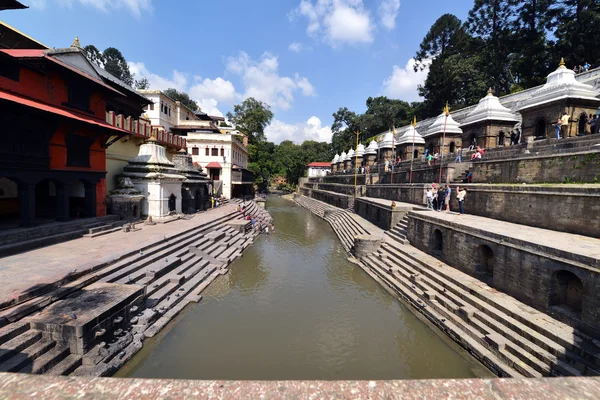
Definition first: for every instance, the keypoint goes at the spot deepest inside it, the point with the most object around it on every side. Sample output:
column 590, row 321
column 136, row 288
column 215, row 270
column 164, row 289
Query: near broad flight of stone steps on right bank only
column 528, row 341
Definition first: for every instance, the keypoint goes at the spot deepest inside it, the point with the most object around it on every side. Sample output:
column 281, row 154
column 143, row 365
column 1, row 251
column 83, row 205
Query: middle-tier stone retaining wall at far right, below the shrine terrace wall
column 578, row 167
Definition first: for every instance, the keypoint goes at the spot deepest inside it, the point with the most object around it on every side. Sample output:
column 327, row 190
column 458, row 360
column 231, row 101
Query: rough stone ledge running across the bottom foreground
column 23, row 386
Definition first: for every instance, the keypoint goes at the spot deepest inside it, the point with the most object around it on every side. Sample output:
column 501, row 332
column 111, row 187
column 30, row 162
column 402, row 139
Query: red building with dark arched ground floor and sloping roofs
column 54, row 134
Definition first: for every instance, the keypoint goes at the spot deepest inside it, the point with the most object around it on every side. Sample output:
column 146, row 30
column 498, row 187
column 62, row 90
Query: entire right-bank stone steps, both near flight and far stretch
column 509, row 337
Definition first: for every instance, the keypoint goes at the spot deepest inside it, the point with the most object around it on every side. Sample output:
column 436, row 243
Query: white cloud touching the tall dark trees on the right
column 403, row 82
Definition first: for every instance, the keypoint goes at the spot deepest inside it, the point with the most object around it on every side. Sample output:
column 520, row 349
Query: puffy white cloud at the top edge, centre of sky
column 337, row 21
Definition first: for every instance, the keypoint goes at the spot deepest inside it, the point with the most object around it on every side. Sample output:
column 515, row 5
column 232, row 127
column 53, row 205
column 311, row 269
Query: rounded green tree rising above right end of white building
column 251, row 117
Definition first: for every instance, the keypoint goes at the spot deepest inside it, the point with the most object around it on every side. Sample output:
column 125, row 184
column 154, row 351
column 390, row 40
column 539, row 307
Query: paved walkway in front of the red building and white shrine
column 21, row 272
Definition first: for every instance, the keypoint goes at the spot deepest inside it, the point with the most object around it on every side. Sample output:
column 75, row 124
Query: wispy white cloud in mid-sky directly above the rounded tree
column 262, row 81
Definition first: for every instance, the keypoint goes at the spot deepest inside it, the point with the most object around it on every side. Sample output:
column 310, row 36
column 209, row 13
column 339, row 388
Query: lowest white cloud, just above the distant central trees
column 312, row 129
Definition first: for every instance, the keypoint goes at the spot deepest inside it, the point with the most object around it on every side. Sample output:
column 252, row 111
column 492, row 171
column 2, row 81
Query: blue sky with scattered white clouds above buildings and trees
column 306, row 58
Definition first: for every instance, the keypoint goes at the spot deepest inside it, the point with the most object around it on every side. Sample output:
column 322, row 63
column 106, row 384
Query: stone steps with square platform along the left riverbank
column 93, row 325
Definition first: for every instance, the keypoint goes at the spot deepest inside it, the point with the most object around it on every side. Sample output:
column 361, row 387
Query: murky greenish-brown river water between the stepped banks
column 292, row 307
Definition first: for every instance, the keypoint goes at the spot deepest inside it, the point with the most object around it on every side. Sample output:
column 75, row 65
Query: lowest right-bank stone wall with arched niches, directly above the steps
column 530, row 273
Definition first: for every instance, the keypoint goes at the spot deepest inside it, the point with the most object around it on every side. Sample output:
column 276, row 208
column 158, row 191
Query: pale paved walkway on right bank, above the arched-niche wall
column 565, row 242
